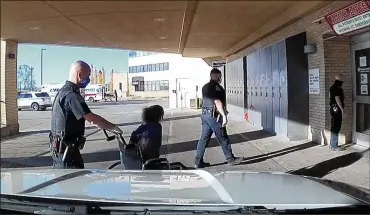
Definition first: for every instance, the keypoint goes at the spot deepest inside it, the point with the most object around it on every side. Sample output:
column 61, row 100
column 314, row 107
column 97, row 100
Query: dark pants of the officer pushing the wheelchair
column 73, row 160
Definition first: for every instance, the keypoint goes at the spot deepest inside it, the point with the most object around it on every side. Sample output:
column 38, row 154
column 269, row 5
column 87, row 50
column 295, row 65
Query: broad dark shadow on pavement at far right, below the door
column 326, row 167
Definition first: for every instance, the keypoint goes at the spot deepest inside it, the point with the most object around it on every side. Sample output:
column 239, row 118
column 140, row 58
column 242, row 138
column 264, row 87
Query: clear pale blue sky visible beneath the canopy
column 57, row 59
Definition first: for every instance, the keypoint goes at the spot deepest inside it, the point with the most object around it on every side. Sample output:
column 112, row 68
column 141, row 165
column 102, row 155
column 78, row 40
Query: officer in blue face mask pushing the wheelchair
column 68, row 120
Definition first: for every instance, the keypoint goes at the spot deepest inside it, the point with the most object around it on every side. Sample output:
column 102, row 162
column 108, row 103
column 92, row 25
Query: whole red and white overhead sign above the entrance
column 351, row 18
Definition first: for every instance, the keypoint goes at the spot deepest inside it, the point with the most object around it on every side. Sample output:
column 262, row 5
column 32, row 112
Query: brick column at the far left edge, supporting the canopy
column 8, row 82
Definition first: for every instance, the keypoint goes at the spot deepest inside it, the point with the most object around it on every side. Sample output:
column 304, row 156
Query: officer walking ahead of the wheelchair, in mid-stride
column 214, row 120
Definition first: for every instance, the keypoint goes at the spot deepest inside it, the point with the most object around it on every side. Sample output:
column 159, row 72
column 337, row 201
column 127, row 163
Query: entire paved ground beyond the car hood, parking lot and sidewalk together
column 181, row 129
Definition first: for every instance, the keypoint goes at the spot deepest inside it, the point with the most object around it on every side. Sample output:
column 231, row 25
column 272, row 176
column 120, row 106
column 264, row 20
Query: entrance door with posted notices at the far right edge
column 360, row 53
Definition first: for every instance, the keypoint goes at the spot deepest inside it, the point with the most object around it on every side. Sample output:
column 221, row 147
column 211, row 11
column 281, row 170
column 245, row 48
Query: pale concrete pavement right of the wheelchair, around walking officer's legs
column 264, row 152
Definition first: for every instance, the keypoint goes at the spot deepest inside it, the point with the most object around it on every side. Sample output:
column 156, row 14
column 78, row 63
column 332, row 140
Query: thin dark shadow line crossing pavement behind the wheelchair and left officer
column 26, row 133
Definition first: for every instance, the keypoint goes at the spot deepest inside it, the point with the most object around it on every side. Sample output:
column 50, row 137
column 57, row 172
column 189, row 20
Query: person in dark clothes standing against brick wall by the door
column 336, row 111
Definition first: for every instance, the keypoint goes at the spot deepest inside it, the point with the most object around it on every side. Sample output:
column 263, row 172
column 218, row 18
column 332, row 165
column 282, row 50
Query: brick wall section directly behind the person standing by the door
column 338, row 61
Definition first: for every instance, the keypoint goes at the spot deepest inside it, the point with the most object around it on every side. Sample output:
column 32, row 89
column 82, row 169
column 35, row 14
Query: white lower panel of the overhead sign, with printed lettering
column 352, row 24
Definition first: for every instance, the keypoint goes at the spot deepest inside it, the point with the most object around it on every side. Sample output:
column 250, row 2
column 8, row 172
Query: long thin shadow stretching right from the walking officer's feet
column 281, row 152
